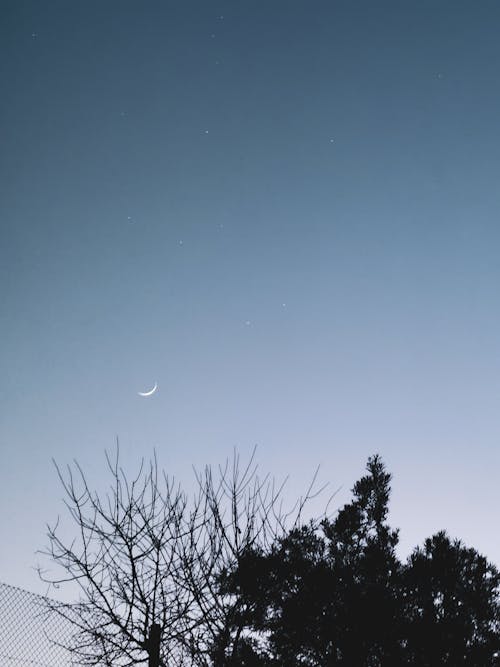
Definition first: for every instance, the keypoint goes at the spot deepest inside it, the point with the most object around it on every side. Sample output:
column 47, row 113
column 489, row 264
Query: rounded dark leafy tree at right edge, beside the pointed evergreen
column 451, row 605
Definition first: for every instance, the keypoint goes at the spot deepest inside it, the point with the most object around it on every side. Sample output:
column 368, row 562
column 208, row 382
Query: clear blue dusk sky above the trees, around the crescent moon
column 283, row 213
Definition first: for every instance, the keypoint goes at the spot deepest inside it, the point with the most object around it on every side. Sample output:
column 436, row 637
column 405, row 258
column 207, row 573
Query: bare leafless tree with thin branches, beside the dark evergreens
column 148, row 561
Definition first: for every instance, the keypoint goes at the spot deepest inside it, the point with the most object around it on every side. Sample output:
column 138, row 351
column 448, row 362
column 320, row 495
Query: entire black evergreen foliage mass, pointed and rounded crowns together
column 336, row 594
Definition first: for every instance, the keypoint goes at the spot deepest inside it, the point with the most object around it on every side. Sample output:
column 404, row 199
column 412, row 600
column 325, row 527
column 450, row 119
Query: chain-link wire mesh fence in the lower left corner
column 29, row 633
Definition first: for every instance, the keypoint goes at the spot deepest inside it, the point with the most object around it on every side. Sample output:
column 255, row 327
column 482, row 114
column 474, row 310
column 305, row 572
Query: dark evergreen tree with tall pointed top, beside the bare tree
column 328, row 594
